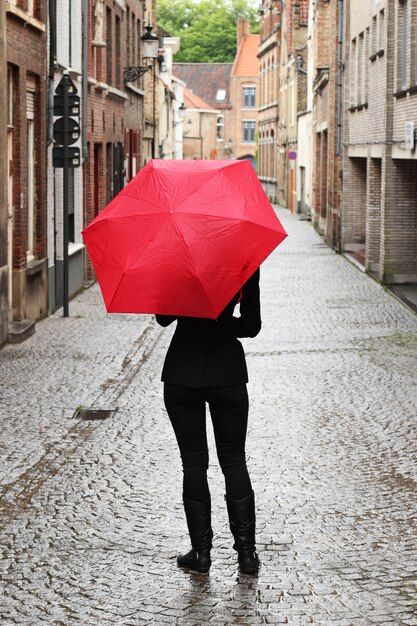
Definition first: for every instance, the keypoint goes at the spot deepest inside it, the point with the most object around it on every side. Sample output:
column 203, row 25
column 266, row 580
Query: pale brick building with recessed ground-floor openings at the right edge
column 379, row 212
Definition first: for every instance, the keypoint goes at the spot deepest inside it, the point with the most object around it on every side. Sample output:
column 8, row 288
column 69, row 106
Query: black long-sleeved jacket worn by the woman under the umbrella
column 206, row 352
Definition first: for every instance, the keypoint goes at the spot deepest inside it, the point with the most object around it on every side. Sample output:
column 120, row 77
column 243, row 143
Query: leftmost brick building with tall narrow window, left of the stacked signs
column 26, row 155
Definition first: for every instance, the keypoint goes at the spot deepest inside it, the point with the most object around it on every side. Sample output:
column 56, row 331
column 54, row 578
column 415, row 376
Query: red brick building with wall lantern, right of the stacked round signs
column 116, row 115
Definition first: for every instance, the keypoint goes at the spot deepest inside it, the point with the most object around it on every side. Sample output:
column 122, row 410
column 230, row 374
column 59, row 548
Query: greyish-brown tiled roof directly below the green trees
column 206, row 80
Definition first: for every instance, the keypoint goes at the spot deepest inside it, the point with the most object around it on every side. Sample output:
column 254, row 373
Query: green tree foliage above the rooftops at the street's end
column 207, row 28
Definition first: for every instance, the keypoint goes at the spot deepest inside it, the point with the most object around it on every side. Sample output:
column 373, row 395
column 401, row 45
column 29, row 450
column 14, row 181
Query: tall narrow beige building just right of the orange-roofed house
column 268, row 54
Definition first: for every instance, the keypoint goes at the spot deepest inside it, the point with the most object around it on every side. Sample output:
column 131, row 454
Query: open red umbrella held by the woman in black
column 182, row 237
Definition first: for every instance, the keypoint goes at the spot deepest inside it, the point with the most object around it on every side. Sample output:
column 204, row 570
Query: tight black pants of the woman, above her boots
column 229, row 408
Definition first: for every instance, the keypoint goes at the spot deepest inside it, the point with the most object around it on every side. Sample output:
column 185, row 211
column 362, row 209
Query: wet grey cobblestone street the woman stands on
column 91, row 523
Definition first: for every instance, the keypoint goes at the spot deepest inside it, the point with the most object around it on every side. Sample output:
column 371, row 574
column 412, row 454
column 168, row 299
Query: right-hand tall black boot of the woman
column 242, row 524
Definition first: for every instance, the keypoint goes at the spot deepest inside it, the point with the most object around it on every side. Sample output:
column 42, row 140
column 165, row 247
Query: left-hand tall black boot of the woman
column 198, row 516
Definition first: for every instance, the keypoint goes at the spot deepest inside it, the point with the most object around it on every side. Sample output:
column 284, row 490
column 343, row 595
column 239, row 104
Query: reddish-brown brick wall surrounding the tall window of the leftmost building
column 26, row 53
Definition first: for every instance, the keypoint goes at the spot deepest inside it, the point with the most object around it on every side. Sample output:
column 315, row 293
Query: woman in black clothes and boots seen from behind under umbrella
column 205, row 363
